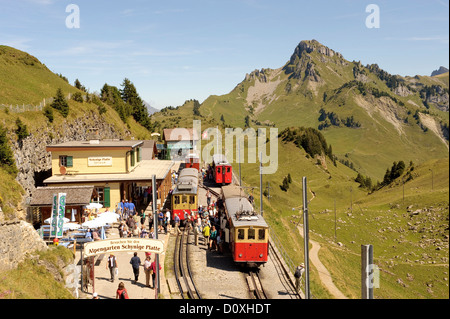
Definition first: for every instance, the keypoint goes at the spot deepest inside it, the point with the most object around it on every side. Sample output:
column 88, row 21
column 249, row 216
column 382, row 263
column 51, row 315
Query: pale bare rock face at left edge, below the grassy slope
column 17, row 240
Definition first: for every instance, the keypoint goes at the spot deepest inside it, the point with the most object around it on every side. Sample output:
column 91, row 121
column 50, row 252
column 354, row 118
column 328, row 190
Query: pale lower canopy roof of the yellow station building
column 143, row 172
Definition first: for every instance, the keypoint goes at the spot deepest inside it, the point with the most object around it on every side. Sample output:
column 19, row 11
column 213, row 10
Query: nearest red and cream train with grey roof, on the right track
column 246, row 231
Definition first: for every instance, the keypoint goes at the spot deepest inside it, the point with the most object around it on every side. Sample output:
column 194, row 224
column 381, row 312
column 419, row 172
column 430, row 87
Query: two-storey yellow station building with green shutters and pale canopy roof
column 115, row 168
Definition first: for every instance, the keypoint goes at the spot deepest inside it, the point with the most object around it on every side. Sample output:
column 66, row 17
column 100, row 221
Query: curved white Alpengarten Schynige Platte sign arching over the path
column 123, row 245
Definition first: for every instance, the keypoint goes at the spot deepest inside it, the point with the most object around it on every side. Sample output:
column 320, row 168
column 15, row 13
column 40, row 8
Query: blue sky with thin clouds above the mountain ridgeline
column 189, row 49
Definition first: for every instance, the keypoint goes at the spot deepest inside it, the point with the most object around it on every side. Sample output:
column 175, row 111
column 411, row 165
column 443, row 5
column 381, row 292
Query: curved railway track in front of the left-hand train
column 182, row 270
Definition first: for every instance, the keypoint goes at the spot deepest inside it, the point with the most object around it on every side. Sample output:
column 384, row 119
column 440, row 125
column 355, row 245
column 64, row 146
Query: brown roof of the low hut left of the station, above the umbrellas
column 76, row 195
